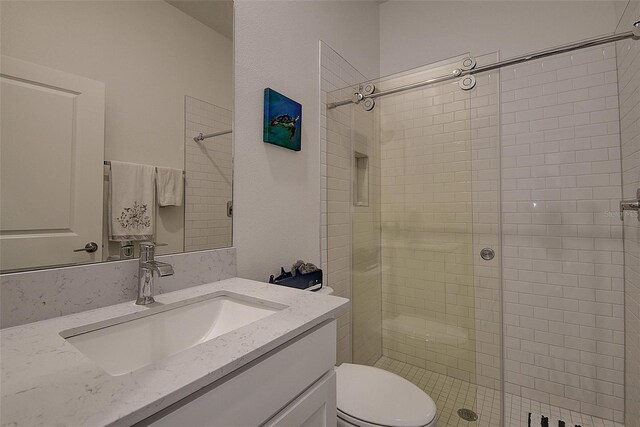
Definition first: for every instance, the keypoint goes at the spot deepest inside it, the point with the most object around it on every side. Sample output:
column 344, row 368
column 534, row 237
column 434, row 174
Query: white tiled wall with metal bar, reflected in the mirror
column 209, row 177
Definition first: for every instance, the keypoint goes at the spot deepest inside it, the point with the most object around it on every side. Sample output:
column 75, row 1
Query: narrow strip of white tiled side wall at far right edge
column 628, row 56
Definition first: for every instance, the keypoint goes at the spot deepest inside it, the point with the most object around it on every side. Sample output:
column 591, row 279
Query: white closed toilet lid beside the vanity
column 380, row 397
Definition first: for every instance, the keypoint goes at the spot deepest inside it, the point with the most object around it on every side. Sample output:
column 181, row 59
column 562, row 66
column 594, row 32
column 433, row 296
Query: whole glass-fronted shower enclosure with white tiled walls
column 474, row 222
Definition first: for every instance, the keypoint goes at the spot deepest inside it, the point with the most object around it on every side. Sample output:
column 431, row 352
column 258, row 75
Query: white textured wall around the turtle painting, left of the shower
column 277, row 191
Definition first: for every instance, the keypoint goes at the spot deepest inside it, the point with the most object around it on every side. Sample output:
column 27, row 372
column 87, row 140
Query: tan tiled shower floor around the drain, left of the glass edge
column 450, row 394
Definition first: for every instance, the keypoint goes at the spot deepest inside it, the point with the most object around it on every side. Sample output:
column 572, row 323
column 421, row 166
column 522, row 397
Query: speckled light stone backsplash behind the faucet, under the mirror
column 38, row 295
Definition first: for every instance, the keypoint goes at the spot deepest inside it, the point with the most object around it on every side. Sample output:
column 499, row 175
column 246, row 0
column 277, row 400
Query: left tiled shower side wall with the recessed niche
column 359, row 329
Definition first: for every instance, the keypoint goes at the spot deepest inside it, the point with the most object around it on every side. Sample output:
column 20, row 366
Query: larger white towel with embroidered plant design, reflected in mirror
column 131, row 201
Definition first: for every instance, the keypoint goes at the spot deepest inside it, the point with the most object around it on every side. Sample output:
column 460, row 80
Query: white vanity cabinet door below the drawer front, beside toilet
column 316, row 407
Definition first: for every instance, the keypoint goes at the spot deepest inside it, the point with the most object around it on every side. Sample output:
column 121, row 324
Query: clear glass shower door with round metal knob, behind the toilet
column 424, row 170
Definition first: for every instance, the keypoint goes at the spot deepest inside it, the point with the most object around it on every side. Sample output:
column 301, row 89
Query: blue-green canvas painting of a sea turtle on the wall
column 282, row 120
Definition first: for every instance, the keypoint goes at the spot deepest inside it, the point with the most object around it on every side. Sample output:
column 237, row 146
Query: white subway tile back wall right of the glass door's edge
column 562, row 238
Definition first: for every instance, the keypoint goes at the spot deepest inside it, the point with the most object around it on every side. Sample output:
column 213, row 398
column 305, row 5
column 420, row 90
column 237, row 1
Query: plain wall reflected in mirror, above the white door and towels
column 149, row 54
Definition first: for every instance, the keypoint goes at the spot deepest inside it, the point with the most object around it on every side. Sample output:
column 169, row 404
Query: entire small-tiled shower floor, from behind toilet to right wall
column 451, row 394
